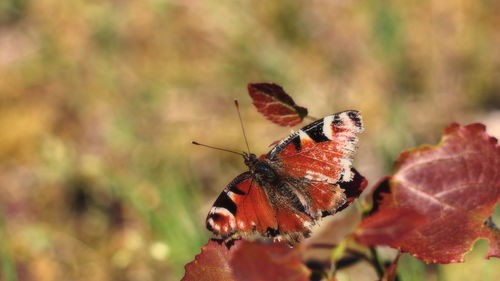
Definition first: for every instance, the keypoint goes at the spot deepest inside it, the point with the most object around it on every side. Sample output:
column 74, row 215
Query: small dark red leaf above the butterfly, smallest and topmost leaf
column 276, row 105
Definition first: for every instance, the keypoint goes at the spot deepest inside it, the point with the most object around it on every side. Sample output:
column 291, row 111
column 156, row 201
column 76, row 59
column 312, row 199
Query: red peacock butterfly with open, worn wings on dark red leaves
column 303, row 178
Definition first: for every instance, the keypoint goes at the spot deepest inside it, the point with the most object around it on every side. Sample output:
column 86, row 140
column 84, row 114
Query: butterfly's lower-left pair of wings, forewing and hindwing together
column 245, row 209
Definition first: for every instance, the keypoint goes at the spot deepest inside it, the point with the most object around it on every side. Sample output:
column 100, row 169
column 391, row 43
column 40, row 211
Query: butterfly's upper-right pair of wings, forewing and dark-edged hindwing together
column 318, row 158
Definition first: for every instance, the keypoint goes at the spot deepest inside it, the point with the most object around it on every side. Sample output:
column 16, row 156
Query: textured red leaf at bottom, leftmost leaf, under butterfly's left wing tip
column 211, row 264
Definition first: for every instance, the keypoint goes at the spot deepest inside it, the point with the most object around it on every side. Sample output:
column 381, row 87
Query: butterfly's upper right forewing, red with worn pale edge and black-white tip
column 321, row 151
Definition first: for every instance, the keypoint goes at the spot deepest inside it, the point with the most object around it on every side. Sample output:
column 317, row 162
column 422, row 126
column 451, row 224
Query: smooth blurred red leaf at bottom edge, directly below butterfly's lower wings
column 260, row 262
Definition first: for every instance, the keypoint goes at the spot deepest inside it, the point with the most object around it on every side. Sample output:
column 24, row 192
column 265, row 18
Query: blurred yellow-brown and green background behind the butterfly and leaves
column 99, row 101
